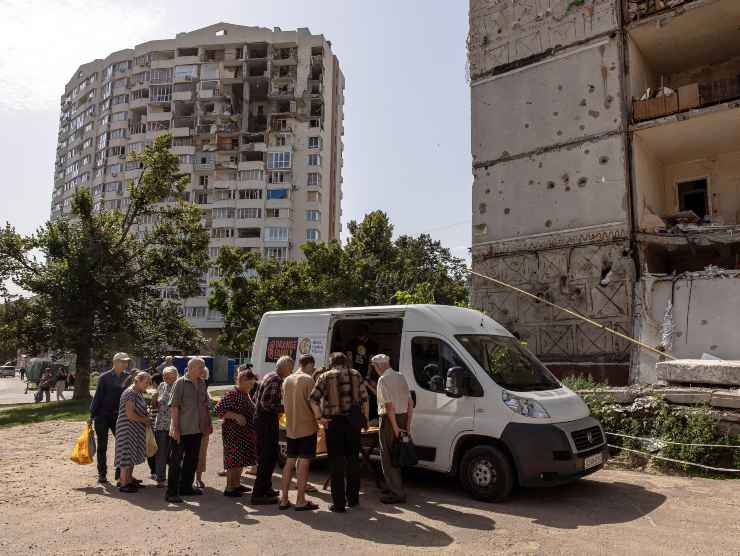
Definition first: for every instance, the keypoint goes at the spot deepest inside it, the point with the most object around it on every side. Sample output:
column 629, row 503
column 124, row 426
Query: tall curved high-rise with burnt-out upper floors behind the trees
column 257, row 121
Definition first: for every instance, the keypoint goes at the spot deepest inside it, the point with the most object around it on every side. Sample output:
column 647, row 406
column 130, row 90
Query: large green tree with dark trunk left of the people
column 96, row 276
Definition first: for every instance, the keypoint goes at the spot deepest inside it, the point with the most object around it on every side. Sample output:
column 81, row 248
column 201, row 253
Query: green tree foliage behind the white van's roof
column 370, row 269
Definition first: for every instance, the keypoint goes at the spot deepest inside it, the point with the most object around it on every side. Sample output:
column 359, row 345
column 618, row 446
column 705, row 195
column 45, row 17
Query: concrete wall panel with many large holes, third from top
column 574, row 187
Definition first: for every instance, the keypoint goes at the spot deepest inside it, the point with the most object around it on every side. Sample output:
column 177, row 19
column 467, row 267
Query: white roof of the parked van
column 454, row 319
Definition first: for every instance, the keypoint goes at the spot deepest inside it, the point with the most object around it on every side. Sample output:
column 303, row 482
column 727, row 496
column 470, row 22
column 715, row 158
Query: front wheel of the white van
column 486, row 474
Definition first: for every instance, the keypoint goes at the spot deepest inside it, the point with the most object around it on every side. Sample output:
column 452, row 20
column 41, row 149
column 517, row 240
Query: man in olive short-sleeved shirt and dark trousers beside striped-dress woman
column 188, row 421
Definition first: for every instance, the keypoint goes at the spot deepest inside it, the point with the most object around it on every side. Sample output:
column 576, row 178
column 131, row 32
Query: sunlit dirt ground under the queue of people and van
column 49, row 505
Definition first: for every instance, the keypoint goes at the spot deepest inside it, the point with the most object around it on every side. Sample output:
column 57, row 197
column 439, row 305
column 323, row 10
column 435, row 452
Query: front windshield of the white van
column 508, row 363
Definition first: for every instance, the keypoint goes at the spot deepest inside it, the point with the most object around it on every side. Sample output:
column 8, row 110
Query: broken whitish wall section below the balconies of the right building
column 705, row 317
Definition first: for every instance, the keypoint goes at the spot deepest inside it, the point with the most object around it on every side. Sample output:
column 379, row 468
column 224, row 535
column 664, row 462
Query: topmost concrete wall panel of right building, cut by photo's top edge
column 506, row 31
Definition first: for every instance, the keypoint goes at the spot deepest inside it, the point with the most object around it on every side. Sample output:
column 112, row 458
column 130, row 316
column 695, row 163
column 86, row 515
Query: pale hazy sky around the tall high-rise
column 407, row 112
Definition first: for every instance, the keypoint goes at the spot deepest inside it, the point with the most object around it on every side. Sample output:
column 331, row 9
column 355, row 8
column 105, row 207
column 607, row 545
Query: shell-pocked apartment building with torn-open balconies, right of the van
column 606, row 162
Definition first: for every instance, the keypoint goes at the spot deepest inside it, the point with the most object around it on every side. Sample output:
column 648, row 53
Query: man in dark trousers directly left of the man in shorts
column 269, row 406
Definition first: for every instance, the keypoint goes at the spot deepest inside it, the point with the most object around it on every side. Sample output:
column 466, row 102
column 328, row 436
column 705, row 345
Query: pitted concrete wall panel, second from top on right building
column 573, row 95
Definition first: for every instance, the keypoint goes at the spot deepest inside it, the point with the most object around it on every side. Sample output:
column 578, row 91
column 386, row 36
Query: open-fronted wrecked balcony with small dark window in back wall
column 686, row 192
